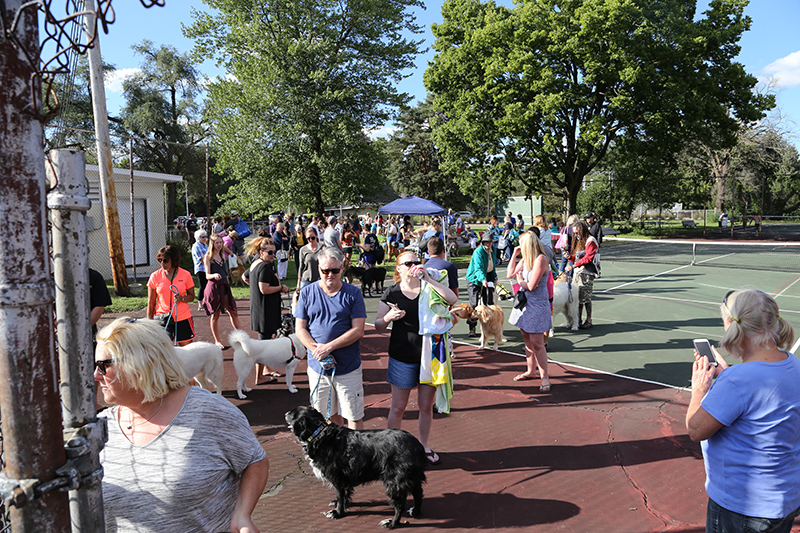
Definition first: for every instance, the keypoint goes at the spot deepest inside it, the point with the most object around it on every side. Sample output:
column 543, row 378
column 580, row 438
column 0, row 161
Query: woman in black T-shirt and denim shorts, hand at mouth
column 400, row 307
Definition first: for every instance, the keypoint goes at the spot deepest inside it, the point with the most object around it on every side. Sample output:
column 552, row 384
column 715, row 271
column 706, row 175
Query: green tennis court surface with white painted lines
column 651, row 301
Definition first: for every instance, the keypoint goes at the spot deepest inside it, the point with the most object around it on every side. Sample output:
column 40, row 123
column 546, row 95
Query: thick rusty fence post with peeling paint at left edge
column 31, row 421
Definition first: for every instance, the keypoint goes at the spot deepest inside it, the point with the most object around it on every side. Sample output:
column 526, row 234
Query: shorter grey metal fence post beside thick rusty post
column 84, row 434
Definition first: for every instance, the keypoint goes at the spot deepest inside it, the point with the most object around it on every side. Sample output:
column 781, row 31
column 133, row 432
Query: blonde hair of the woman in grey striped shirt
column 143, row 356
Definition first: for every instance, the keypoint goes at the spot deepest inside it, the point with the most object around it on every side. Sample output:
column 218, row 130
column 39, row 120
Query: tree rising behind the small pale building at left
column 163, row 114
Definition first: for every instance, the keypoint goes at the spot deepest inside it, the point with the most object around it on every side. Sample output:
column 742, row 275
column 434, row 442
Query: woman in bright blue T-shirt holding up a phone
column 748, row 419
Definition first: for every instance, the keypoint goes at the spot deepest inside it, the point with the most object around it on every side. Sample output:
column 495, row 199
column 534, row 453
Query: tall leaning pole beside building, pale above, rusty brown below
column 109, row 193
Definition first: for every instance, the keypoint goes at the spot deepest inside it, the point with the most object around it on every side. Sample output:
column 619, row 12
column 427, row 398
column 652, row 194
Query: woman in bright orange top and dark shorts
column 169, row 291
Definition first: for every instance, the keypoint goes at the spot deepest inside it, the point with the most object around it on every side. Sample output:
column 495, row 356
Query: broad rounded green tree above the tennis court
column 541, row 91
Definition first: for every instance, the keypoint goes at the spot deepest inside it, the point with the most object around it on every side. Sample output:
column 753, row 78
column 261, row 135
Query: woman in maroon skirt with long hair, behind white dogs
column 218, row 295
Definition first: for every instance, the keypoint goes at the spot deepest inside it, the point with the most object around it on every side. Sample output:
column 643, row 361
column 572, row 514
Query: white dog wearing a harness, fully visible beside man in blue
column 282, row 352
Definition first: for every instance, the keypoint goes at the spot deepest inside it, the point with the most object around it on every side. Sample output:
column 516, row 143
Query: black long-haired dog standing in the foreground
column 345, row 458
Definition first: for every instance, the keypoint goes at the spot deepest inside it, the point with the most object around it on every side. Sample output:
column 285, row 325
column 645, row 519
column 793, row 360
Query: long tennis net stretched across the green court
column 774, row 256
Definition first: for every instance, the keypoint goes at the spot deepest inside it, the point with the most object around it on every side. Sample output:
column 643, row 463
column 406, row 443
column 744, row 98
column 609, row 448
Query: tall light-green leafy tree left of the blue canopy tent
column 305, row 80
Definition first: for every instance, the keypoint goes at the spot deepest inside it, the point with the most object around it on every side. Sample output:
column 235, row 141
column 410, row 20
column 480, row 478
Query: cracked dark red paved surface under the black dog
column 597, row 453
